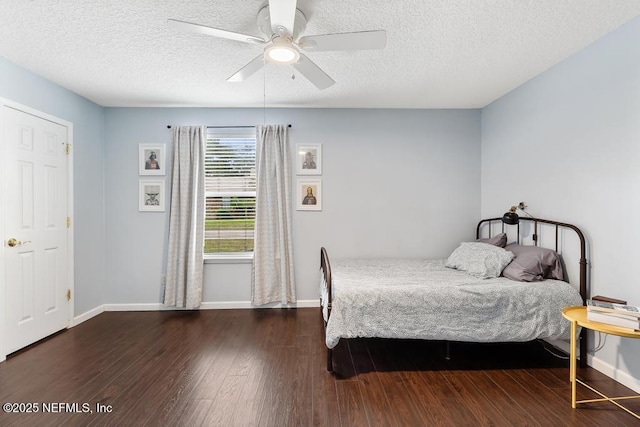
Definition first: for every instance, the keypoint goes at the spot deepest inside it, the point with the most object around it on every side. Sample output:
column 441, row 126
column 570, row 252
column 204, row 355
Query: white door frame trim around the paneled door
column 70, row 235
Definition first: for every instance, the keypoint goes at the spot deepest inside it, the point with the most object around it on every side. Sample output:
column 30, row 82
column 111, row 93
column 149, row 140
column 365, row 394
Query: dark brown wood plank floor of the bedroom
column 267, row 368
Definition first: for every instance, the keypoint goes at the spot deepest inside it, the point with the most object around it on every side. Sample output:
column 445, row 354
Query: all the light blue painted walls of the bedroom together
column 396, row 182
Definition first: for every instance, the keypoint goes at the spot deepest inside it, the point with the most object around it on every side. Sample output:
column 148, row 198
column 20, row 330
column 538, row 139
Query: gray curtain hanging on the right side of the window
column 273, row 276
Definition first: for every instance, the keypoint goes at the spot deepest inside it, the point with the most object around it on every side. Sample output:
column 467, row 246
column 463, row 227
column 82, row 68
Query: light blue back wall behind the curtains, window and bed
column 395, row 183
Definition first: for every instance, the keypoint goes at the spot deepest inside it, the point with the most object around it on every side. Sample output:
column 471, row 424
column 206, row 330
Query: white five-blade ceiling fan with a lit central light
column 282, row 23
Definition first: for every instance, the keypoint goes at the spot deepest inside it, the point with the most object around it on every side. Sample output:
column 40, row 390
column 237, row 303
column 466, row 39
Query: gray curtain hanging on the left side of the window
column 186, row 221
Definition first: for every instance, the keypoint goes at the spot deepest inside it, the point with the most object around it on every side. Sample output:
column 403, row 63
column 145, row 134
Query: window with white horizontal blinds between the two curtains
column 230, row 190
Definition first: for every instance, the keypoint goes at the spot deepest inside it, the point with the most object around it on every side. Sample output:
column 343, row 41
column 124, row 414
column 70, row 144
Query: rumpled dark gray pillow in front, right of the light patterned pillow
column 532, row 263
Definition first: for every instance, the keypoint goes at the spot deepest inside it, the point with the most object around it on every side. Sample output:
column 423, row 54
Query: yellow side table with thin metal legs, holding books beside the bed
column 577, row 315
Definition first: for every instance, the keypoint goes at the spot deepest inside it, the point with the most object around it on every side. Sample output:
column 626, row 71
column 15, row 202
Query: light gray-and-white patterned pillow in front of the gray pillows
column 479, row 259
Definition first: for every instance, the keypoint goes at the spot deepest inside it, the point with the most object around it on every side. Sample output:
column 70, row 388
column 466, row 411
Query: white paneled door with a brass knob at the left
column 35, row 227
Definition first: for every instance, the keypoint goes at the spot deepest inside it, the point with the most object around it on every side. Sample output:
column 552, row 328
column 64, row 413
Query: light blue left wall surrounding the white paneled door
column 24, row 87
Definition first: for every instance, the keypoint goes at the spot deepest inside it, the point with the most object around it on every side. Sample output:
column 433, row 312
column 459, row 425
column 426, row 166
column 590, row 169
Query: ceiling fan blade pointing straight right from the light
column 362, row 40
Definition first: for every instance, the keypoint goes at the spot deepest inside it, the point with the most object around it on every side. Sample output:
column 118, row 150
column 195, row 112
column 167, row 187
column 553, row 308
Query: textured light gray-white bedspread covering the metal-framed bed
column 410, row 298
